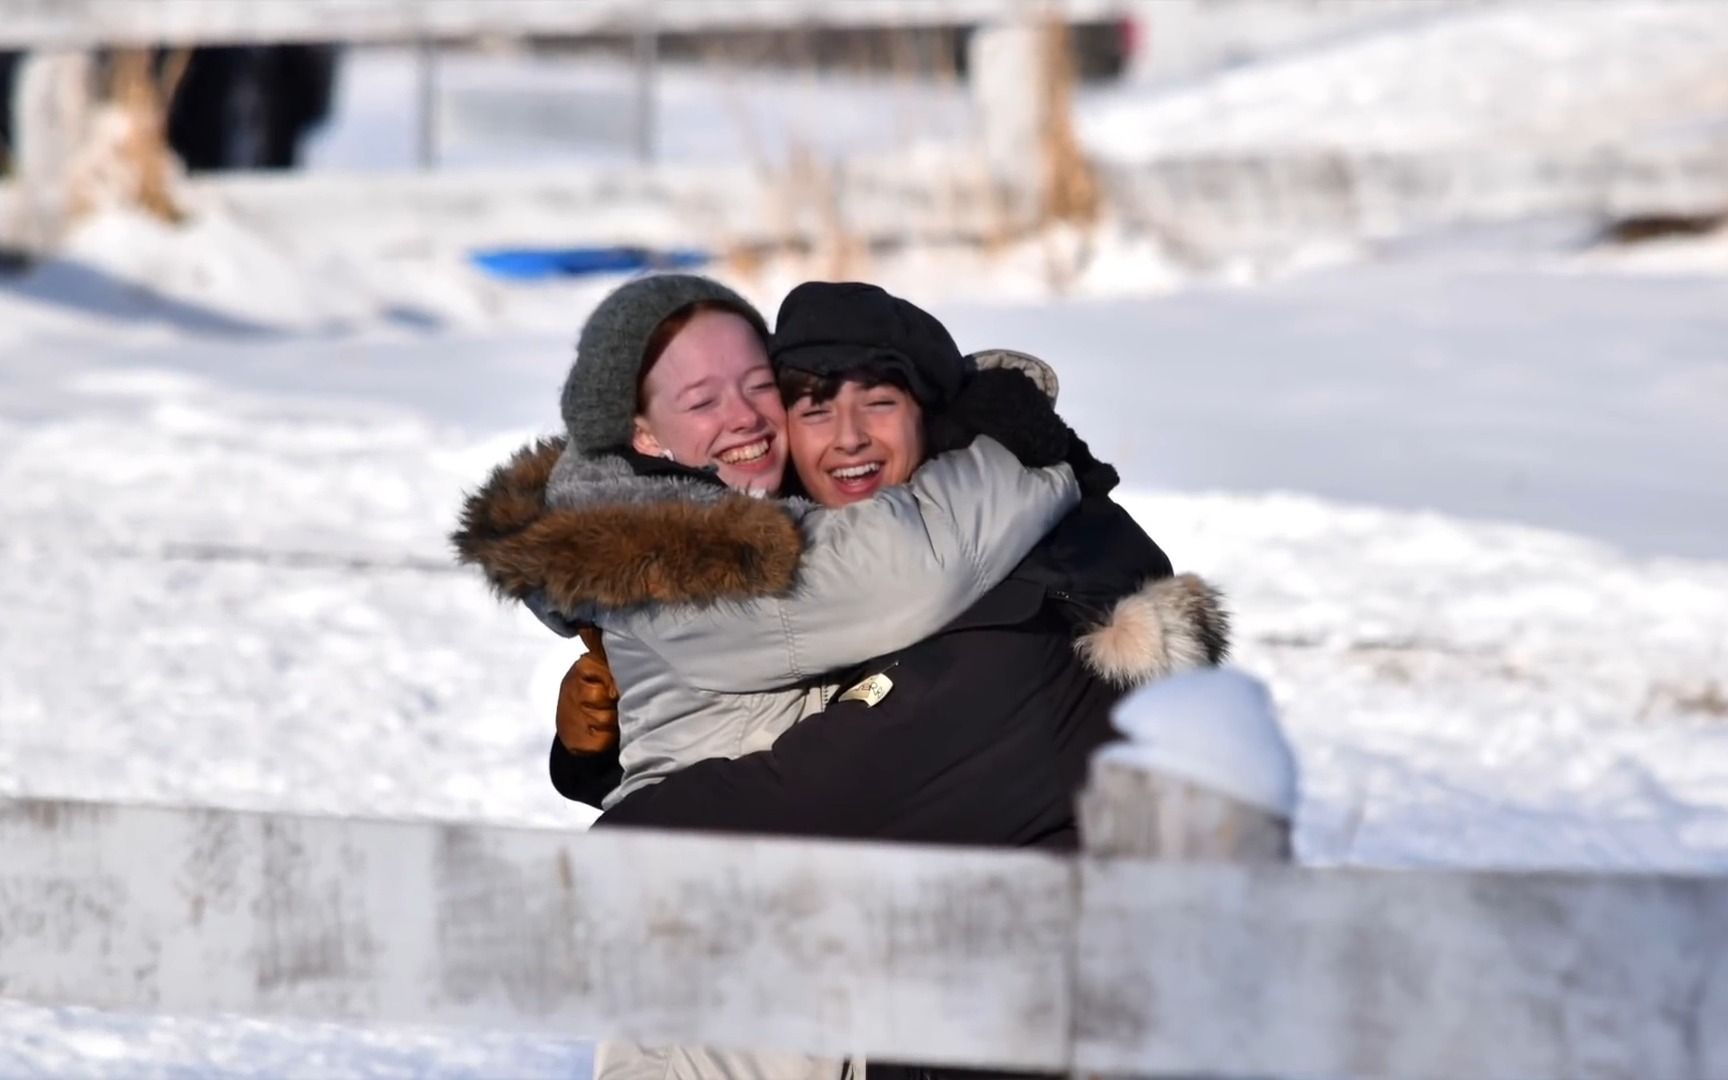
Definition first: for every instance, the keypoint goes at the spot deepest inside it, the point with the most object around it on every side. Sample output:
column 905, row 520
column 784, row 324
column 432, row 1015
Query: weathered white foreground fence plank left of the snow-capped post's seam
column 934, row 955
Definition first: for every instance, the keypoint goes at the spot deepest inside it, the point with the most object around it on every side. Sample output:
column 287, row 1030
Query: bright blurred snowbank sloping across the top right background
column 1502, row 77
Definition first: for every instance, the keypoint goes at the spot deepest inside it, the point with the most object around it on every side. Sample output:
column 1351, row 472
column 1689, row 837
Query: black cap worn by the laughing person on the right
column 835, row 327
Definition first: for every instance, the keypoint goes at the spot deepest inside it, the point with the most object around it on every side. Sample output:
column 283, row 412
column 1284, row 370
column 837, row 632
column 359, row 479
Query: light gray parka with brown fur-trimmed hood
column 711, row 658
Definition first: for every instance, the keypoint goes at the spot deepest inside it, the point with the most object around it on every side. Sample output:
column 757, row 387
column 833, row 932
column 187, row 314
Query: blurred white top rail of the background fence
column 84, row 23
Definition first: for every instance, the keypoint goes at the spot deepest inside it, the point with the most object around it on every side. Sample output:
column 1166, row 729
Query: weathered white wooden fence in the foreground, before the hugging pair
column 1145, row 955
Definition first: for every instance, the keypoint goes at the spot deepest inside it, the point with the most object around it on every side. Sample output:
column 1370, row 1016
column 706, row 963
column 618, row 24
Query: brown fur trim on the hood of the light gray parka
column 590, row 531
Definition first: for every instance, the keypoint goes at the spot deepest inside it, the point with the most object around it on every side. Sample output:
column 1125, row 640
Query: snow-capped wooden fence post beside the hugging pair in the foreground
column 1204, row 773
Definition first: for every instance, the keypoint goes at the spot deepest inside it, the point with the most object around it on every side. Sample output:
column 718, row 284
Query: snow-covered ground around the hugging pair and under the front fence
column 1466, row 500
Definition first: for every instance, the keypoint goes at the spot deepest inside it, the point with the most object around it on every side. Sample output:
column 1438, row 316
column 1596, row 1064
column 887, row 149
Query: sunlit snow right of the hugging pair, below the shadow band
column 1475, row 696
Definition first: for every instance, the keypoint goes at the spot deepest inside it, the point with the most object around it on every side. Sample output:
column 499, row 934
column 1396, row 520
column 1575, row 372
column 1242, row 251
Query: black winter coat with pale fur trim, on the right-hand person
column 988, row 728
